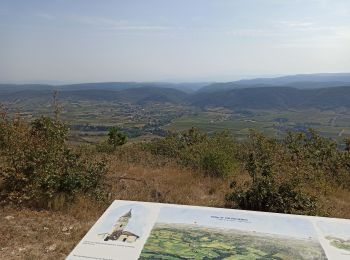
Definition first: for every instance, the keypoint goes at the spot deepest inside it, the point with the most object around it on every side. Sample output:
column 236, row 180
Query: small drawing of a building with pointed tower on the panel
column 119, row 233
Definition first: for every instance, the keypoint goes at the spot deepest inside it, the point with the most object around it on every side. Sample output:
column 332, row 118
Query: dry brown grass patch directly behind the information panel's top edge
column 166, row 184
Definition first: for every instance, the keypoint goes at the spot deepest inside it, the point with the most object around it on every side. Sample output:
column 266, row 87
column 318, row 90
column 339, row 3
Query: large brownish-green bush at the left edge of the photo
column 39, row 167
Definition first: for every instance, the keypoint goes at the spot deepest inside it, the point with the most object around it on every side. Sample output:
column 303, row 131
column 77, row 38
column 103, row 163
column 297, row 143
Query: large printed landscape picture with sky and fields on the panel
column 209, row 234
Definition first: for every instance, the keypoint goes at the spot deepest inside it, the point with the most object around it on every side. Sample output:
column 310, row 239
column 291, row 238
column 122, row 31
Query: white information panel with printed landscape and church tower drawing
column 141, row 230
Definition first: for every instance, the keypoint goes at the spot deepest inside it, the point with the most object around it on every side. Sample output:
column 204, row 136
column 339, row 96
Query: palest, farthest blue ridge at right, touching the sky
column 302, row 81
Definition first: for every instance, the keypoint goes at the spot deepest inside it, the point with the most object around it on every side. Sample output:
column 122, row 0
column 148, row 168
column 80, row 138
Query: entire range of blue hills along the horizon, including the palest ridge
column 299, row 91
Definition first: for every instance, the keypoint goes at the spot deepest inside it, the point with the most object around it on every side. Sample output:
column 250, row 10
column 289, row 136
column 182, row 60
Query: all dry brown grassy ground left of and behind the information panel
column 133, row 175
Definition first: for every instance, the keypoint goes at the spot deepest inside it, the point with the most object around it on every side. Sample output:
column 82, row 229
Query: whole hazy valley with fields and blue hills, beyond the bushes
column 271, row 105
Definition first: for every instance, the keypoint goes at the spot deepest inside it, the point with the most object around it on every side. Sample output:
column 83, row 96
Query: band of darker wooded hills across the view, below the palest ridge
column 268, row 97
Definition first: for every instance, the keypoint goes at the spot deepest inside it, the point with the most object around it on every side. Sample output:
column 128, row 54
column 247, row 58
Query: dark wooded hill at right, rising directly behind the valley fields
column 274, row 98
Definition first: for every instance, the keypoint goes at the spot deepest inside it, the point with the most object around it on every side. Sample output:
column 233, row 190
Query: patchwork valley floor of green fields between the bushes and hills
column 99, row 116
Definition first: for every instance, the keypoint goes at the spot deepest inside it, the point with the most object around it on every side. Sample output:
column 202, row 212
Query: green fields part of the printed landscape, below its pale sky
column 177, row 241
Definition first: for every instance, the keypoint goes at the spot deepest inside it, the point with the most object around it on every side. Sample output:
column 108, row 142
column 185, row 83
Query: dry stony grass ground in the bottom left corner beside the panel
column 30, row 234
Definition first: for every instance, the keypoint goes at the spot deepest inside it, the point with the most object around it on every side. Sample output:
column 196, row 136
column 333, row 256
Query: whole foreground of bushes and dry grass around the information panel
column 51, row 187
